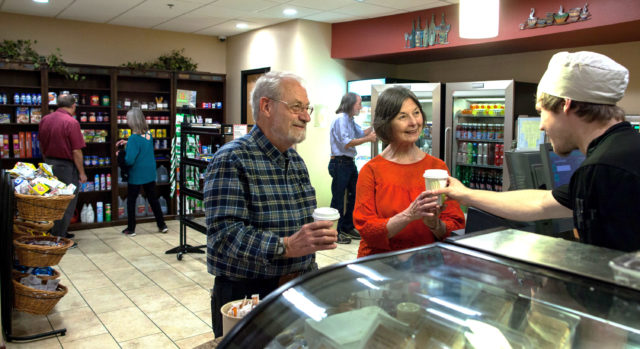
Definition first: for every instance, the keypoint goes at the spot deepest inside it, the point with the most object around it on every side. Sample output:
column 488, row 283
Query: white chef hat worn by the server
column 586, row 77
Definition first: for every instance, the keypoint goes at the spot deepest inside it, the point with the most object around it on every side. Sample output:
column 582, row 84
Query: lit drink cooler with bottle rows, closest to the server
column 479, row 127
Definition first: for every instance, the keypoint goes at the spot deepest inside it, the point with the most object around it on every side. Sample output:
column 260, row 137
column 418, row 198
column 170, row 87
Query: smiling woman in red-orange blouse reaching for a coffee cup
column 393, row 211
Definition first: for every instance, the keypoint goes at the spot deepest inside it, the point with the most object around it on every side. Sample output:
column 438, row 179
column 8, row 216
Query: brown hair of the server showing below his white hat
column 589, row 112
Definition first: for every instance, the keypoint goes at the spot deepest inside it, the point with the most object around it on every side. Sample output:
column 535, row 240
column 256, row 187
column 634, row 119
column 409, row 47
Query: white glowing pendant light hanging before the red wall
column 479, row 19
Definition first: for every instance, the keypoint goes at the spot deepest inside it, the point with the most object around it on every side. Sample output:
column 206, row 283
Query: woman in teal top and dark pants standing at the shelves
column 142, row 170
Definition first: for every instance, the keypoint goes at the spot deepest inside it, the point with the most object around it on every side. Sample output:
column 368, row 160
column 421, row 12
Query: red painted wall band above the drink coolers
column 383, row 37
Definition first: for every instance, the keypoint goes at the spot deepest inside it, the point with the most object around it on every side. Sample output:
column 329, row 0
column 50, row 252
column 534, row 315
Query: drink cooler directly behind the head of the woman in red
column 430, row 96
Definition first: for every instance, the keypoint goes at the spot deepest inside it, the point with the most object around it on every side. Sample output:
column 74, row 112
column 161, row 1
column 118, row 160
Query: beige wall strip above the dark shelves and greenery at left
column 104, row 44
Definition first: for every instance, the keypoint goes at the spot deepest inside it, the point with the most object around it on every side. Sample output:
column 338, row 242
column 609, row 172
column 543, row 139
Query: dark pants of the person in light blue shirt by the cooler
column 345, row 177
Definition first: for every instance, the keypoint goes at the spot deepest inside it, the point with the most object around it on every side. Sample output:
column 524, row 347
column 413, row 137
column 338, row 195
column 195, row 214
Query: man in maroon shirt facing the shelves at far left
column 61, row 142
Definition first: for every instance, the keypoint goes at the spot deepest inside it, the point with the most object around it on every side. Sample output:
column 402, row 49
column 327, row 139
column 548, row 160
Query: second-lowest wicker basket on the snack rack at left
column 40, row 251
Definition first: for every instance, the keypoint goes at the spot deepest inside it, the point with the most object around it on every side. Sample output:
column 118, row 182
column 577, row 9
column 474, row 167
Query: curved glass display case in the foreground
column 517, row 297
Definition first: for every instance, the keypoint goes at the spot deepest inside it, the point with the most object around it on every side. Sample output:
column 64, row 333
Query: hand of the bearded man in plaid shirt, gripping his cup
column 310, row 238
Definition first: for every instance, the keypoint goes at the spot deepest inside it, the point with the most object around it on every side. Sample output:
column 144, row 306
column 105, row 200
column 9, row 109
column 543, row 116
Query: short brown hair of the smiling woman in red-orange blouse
column 388, row 106
